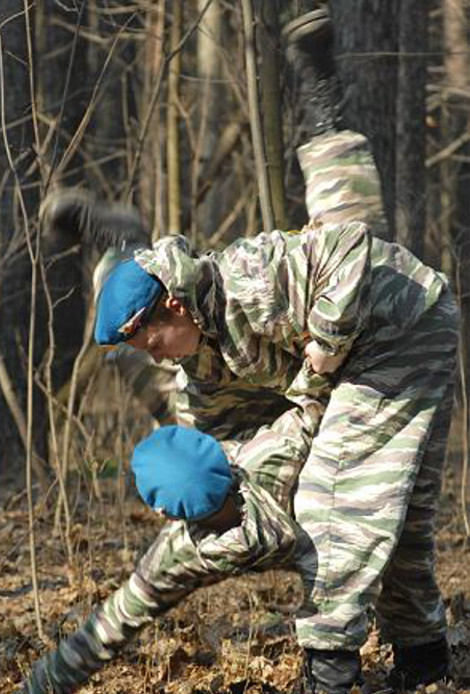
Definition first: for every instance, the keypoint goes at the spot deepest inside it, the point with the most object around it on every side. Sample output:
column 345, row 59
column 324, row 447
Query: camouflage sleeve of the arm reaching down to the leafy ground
column 167, row 573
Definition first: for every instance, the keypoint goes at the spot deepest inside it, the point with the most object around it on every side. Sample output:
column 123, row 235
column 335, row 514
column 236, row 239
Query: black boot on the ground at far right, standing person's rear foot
column 415, row 665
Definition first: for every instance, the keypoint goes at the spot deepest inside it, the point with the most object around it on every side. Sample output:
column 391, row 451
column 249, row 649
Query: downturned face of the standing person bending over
column 174, row 338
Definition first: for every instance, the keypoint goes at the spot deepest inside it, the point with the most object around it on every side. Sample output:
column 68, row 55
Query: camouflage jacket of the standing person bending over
column 261, row 300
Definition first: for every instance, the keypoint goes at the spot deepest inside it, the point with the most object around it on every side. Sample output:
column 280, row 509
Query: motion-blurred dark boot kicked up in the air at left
column 76, row 212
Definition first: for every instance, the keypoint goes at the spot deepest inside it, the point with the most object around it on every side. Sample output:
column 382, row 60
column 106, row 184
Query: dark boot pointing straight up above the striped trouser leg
column 309, row 52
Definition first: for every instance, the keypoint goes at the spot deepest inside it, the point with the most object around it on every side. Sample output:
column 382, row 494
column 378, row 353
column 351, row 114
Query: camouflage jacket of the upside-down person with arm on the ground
column 184, row 557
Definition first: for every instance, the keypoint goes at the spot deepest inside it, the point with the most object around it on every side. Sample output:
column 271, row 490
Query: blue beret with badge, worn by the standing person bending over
column 127, row 296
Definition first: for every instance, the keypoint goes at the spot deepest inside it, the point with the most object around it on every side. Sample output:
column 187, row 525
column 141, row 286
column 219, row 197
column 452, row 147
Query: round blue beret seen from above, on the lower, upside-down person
column 182, row 471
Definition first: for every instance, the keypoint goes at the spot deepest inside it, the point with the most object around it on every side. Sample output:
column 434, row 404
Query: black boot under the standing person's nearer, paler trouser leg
column 332, row 672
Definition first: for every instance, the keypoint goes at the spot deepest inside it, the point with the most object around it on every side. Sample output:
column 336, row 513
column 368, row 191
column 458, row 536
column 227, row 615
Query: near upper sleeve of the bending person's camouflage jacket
column 341, row 280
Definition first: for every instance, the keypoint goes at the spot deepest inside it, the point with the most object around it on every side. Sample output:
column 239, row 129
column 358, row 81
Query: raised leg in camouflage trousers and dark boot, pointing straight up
column 341, row 178
